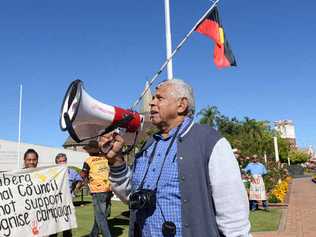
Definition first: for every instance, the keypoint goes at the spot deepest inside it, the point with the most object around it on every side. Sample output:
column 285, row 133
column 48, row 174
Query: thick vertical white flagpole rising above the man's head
column 168, row 39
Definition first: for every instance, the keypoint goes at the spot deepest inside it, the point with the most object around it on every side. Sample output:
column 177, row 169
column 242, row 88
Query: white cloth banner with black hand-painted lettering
column 35, row 202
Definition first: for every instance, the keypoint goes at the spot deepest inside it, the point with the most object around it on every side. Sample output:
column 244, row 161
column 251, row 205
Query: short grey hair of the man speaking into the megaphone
column 181, row 90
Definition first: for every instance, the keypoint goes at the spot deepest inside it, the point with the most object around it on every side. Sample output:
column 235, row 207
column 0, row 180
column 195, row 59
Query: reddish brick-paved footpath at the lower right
column 301, row 214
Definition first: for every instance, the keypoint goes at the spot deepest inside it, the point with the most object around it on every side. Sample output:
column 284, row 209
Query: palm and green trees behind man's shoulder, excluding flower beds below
column 250, row 136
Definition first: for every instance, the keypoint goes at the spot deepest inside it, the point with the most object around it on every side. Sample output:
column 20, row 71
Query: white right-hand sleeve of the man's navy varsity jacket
column 228, row 192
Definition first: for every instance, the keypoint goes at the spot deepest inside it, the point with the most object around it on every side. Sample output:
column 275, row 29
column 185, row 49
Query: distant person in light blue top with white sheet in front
column 257, row 188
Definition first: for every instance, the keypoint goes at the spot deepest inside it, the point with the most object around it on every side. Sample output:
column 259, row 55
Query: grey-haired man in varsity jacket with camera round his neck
column 185, row 181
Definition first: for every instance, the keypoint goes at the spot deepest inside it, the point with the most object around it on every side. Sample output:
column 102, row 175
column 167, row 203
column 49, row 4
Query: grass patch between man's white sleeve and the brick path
column 265, row 221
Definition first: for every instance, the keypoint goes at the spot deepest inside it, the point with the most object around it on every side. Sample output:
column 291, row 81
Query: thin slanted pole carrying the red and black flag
column 151, row 81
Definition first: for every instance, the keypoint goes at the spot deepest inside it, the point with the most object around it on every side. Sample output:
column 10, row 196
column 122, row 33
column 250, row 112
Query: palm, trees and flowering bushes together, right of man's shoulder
column 250, row 137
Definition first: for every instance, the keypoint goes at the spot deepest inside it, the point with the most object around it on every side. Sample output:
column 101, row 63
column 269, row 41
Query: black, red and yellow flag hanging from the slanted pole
column 211, row 27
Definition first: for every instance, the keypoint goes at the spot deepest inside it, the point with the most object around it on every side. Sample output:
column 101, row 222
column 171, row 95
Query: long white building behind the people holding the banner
column 9, row 155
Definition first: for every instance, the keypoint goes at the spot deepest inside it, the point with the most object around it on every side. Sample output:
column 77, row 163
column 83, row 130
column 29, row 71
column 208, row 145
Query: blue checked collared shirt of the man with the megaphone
column 168, row 202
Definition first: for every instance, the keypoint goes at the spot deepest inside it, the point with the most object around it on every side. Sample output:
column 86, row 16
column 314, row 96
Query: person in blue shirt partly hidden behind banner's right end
column 74, row 181
